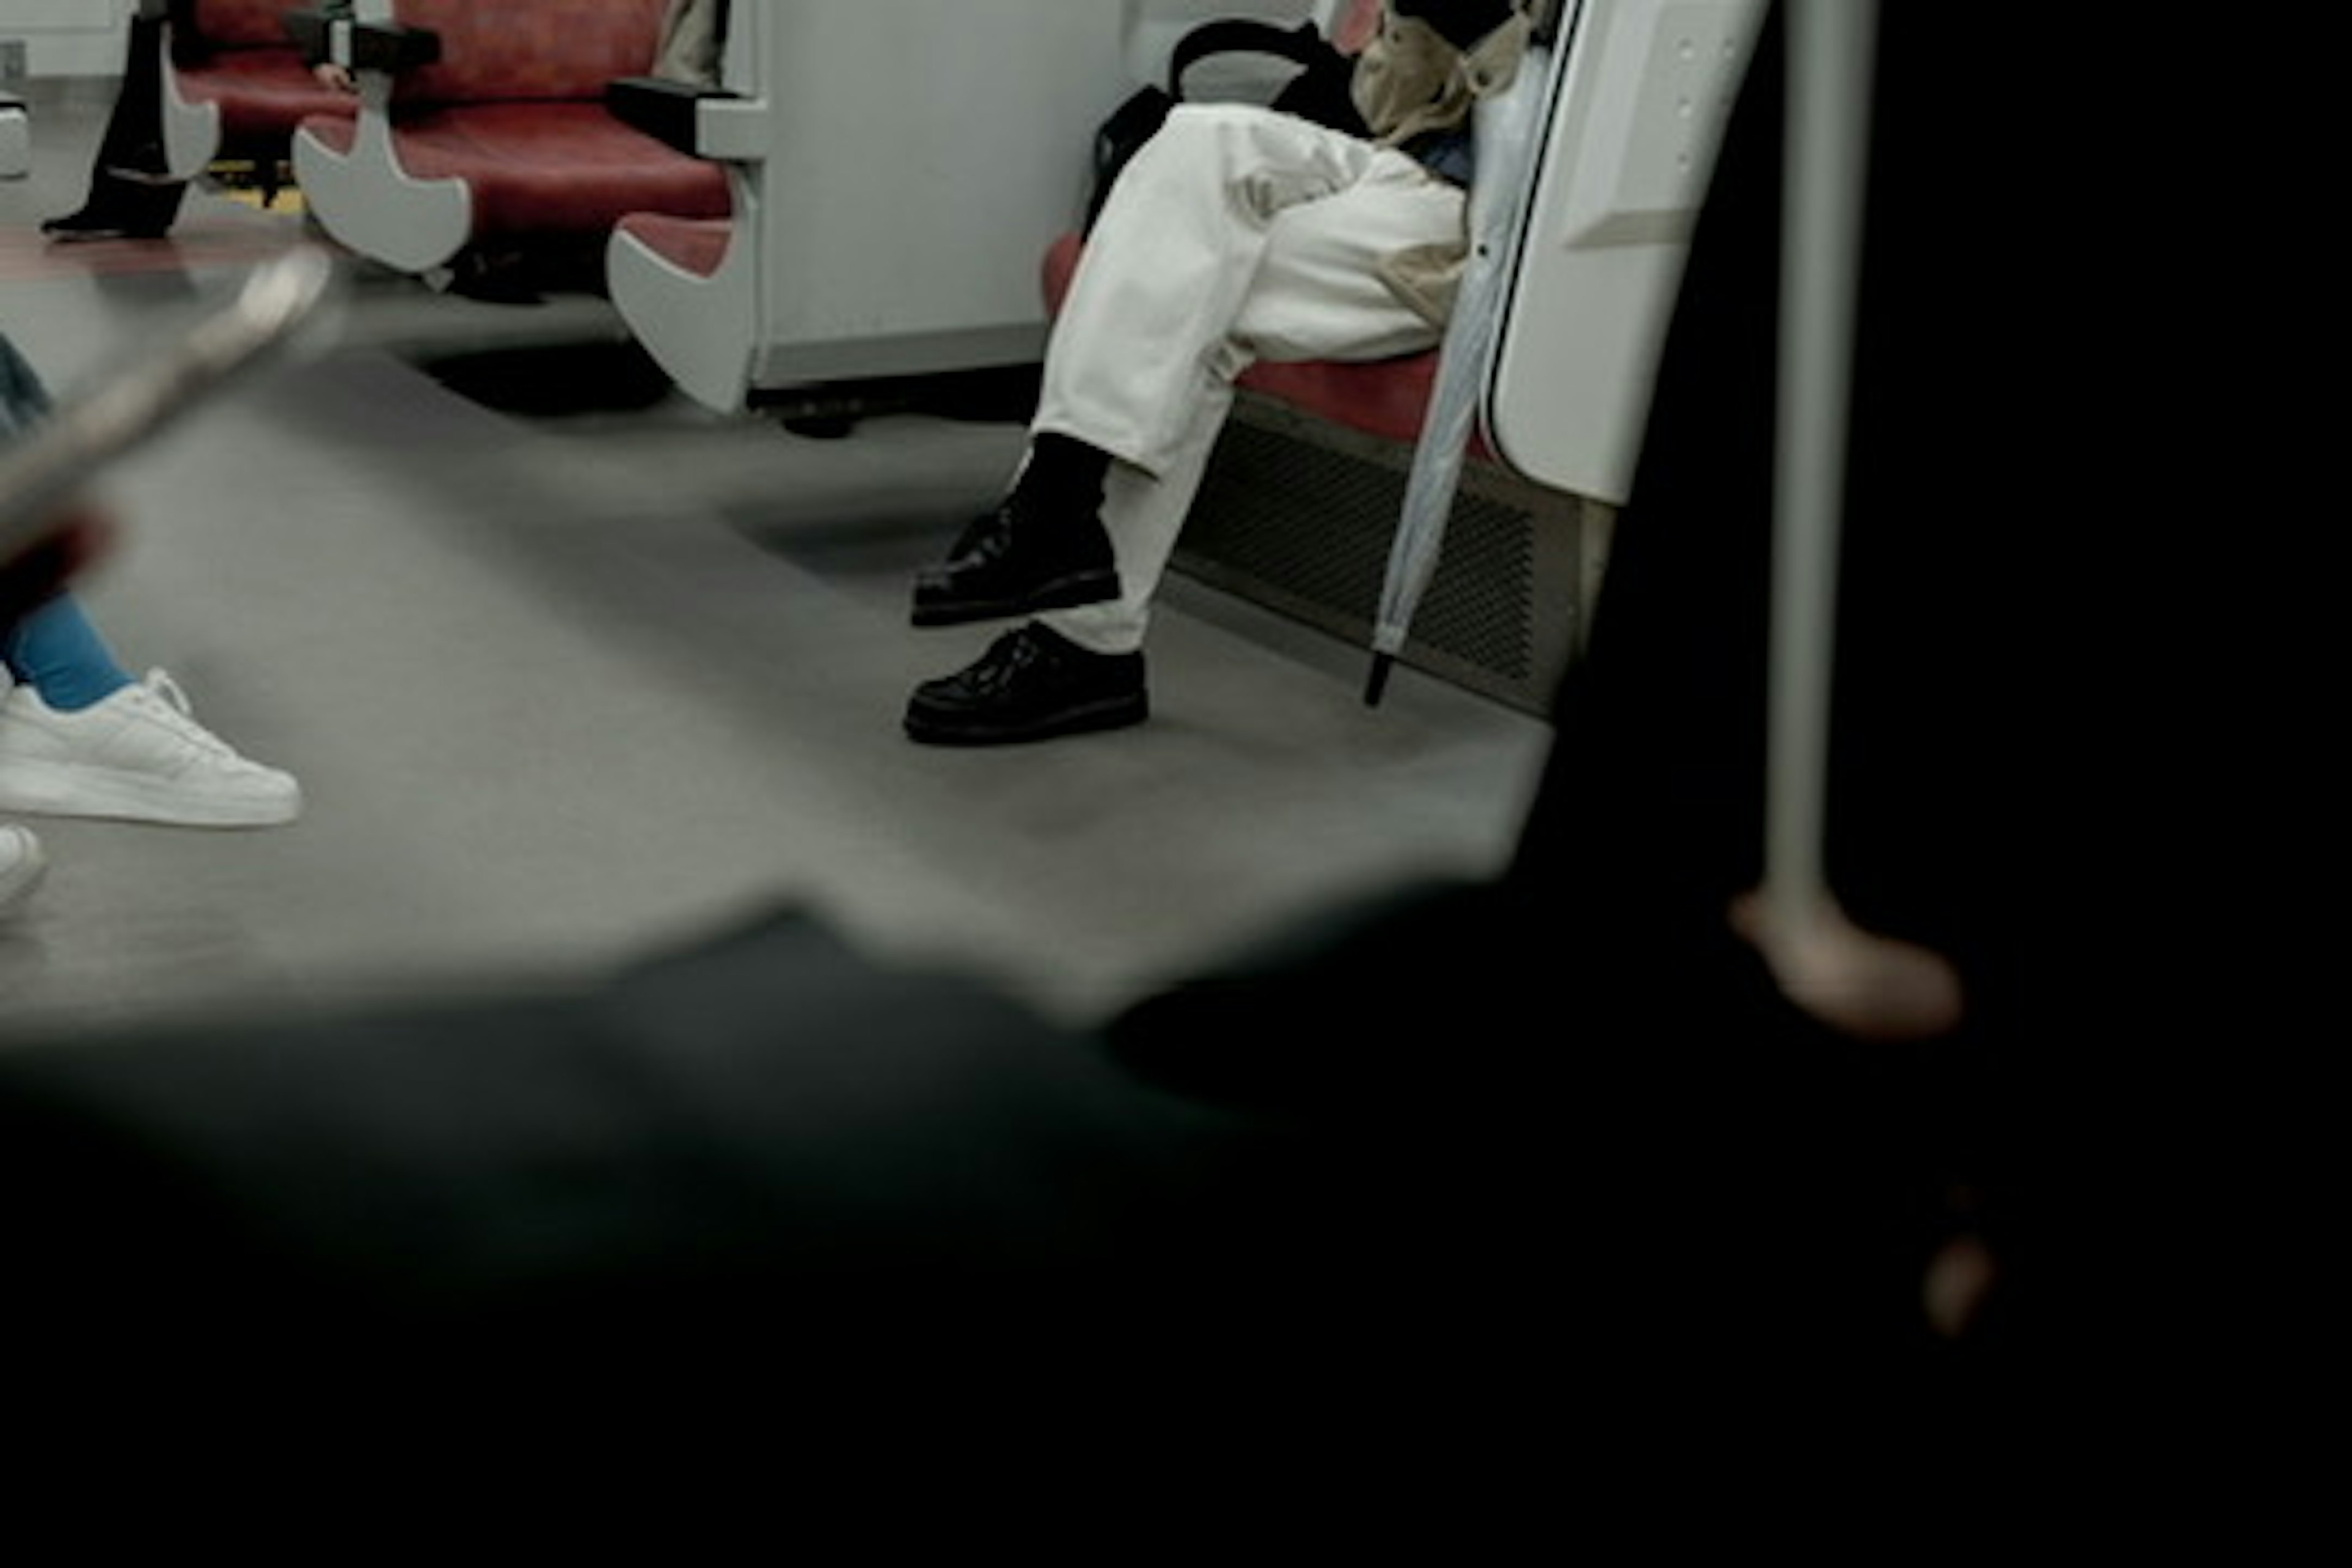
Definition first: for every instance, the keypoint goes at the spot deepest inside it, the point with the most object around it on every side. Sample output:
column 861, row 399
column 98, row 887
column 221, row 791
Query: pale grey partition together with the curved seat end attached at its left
column 900, row 175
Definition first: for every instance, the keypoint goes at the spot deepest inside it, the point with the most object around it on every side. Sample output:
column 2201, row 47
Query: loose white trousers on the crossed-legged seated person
column 1234, row 236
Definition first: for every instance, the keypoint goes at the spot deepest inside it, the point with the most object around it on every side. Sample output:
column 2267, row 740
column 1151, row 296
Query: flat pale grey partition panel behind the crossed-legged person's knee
column 918, row 175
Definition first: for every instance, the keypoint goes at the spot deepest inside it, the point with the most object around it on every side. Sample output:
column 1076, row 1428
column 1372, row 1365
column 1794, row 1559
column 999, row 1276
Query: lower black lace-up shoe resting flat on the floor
column 1031, row 685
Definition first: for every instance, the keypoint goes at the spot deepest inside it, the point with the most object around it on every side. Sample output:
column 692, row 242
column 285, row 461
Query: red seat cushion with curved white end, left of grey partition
column 549, row 168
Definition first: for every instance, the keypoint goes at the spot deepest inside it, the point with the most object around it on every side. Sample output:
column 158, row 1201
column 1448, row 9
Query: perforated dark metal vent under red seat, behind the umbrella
column 1299, row 516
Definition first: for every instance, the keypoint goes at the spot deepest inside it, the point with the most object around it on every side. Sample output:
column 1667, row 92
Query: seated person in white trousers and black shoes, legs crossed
column 1236, row 234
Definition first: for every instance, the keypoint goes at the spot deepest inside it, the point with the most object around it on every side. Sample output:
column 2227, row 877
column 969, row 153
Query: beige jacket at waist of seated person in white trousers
column 1408, row 83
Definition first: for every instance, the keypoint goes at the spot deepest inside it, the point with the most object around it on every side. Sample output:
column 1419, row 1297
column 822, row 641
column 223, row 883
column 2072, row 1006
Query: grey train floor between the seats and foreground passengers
column 568, row 690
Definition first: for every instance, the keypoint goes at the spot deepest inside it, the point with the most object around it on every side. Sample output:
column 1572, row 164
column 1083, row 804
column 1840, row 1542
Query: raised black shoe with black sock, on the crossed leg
column 1041, row 549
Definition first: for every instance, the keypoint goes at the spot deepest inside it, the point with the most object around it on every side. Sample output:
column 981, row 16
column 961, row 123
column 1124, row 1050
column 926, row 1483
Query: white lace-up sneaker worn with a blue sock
column 138, row 756
